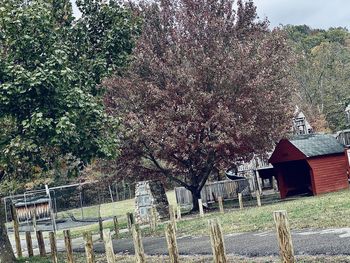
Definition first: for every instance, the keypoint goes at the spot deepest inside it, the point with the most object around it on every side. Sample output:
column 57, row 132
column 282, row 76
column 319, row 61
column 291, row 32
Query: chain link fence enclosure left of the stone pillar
column 65, row 206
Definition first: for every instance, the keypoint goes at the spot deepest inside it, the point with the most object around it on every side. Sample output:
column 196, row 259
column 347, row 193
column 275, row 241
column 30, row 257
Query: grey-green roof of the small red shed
column 317, row 144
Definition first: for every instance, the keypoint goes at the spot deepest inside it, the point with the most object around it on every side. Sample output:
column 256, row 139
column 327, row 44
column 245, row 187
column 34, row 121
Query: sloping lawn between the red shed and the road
column 324, row 211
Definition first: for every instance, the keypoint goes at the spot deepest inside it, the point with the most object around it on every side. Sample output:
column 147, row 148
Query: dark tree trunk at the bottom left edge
column 6, row 252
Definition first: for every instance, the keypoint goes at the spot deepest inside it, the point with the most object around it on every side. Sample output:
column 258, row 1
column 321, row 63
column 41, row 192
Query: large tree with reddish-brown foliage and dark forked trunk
column 209, row 86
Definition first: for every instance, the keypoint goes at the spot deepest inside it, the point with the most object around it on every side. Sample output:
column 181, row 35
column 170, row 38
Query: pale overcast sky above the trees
column 315, row 13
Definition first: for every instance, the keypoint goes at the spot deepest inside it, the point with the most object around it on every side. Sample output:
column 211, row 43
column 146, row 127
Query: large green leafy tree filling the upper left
column 50, row 71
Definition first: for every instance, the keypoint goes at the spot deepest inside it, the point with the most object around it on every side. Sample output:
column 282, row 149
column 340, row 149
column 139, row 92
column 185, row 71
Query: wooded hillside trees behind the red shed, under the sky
column 322, row 72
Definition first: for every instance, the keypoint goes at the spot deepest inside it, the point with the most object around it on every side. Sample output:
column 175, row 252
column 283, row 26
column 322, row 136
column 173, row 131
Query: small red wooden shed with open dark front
column 309, row 164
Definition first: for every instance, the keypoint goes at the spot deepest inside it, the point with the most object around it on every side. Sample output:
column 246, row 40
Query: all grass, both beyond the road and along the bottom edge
column 324, row 211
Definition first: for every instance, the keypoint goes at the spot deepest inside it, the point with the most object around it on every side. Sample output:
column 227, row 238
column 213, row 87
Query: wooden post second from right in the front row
column 217, row 241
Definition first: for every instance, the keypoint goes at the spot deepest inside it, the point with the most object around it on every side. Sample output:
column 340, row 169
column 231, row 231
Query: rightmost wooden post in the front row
column 284, row 237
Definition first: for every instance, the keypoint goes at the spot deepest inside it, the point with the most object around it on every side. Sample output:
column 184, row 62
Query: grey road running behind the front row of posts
column 306, row 242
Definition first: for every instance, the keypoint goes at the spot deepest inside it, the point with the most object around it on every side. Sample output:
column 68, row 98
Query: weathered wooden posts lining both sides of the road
column 170, row 228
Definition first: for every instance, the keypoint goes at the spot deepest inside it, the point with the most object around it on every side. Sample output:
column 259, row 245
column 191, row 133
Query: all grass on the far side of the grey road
column 324, row 211
